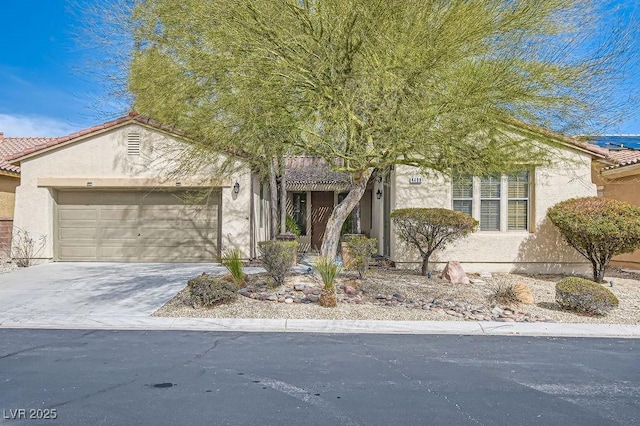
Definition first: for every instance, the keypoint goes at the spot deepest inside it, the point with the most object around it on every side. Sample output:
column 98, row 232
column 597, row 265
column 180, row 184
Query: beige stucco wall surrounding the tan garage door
column 105, row 156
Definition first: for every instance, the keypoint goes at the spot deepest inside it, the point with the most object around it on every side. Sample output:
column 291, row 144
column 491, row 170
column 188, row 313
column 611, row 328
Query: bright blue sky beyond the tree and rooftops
column 46, row 85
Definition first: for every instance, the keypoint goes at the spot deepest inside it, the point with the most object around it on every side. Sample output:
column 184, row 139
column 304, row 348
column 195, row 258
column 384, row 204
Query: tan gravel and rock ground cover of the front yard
column 404, row 295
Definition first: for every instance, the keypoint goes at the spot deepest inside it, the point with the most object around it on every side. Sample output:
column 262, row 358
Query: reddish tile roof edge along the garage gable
column 40, row 145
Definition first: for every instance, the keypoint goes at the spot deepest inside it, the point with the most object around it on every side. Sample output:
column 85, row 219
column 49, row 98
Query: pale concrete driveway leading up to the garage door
column 94, row 290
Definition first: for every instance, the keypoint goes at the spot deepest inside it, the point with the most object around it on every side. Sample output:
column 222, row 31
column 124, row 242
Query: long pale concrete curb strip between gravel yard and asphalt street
column 464, row 328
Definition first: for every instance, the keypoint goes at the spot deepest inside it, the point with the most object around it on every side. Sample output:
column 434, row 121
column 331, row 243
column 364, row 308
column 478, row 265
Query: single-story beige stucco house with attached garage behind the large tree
column 107, row 194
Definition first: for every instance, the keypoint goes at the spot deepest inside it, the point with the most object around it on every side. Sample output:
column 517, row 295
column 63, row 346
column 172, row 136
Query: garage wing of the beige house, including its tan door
column 109, row 193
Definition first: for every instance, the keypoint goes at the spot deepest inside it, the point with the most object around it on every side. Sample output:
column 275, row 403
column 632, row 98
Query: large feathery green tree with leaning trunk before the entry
column 436, row 84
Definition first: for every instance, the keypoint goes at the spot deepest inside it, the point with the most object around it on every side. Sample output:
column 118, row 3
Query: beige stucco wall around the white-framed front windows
column 541, row 251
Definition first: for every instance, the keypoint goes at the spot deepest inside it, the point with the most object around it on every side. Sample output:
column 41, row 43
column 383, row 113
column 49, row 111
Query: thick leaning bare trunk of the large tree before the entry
column 340, row 213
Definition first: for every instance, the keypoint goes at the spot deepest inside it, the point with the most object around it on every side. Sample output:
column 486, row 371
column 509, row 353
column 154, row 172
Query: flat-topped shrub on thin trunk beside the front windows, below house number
column 429, row 230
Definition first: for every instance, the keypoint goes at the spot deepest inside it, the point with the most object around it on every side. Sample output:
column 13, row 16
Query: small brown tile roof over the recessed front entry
column 306, row 171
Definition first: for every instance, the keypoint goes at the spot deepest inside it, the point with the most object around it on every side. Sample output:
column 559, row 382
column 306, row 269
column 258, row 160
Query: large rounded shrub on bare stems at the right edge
column 598, row 228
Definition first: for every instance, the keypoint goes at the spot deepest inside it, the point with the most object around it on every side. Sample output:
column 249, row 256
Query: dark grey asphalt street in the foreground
column 185, row 377
